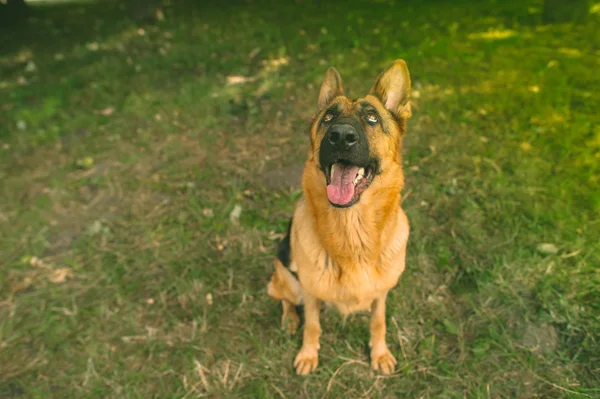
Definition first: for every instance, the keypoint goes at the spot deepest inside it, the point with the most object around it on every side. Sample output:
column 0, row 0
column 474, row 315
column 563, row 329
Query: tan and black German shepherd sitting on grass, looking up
column 346, row 242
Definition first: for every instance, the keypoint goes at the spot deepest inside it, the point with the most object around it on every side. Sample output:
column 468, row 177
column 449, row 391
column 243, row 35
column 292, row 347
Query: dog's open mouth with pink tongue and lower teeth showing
column 345, row 183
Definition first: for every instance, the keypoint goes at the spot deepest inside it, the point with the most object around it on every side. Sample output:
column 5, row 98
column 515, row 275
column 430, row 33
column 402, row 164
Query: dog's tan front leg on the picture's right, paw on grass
column 381, row 357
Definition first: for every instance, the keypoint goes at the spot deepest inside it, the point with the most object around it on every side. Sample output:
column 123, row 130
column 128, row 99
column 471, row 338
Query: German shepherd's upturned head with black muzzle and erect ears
column 358, row 143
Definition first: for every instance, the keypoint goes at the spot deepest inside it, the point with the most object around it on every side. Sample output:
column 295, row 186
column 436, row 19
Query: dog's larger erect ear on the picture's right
column 393, row 89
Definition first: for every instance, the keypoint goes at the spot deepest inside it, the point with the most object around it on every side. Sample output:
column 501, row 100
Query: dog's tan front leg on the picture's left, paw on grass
column 308, row 357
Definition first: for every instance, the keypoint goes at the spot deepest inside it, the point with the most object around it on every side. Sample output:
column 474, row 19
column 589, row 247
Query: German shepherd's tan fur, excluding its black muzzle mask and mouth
column 349, row 257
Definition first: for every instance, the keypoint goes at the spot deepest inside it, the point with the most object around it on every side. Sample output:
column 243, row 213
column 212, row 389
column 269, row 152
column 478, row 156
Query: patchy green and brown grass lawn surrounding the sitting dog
column 123, row 151
